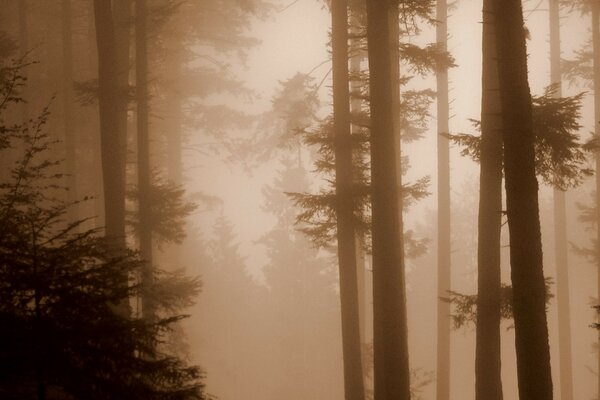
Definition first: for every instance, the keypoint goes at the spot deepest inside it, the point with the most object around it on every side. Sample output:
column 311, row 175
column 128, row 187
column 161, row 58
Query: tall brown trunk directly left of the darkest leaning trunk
column 488, row 379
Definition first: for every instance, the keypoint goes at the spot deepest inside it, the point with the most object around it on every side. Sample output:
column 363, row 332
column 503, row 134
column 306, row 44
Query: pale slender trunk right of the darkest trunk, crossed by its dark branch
column 560, row 232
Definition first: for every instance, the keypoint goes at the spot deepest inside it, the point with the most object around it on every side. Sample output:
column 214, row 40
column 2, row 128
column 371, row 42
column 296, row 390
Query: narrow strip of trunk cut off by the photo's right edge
column 596, row 49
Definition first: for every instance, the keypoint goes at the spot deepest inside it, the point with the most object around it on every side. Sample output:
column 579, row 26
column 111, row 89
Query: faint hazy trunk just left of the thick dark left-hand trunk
column 67, row 103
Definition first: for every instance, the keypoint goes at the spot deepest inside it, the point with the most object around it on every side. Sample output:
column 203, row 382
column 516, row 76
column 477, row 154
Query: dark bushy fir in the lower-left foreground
column 63, row 333
